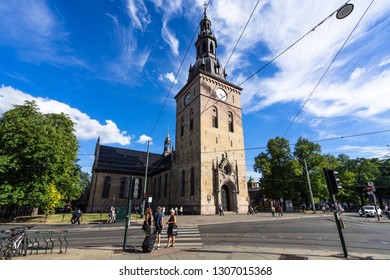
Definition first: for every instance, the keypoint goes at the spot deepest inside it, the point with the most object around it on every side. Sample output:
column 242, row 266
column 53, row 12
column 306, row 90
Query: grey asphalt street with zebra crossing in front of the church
column 319, row 232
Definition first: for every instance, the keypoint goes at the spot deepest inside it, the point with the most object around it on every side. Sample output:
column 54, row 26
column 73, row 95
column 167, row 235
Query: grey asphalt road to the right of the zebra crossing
column 359, row 234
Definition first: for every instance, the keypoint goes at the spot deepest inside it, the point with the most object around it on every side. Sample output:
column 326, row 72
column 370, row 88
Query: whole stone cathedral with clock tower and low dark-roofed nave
column 207, row 167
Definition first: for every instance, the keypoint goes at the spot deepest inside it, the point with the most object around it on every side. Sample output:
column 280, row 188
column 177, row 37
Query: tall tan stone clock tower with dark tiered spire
column 209, row 161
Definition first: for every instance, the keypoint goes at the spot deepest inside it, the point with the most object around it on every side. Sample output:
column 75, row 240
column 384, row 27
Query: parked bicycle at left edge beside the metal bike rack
column 13, row 242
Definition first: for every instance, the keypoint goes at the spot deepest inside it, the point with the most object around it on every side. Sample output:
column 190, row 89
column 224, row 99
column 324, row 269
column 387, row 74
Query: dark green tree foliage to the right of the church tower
column 284, row 175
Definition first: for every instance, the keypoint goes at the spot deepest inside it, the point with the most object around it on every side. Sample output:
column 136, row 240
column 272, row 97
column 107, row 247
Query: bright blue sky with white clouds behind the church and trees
column 114, row 66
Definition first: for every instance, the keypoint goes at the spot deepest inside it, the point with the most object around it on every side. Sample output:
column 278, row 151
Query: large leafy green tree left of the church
column 37, row 151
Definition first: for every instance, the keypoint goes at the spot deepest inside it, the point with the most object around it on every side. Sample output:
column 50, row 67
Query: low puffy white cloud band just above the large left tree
column 86, row 128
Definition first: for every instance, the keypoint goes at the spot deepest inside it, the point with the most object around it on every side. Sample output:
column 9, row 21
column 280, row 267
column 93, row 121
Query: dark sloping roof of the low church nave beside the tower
column 112, row 159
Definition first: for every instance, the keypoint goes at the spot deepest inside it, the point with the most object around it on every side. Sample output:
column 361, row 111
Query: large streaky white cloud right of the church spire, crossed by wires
column 353, row 87
